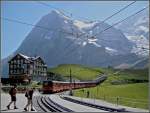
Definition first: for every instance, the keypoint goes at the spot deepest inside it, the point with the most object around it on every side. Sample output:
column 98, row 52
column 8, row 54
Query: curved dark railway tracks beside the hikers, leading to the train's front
column 45, row 104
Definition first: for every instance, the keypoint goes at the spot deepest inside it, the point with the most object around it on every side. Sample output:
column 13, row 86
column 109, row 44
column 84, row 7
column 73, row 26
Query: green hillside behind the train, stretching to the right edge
column 115, row 76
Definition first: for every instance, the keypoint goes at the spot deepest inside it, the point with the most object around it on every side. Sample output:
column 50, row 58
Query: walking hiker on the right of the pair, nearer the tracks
column 29, row 95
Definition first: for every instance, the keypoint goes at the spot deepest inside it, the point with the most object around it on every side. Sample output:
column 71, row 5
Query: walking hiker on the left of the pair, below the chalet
column 12, row 93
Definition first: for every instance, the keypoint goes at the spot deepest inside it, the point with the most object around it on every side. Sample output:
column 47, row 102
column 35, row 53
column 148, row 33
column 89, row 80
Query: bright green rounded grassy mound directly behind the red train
column 78, row 71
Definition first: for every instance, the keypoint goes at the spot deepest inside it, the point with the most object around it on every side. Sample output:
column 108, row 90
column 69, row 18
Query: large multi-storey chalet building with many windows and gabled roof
column 23, row 68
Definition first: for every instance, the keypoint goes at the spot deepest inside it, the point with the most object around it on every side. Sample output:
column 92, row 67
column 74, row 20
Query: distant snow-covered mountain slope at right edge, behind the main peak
column 136, row 29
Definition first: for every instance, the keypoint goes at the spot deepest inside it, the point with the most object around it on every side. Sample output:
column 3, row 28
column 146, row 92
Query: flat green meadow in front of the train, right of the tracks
column 134, row 95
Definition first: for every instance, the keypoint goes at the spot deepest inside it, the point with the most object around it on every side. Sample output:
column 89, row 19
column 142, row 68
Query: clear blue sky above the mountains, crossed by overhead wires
column 12, row 34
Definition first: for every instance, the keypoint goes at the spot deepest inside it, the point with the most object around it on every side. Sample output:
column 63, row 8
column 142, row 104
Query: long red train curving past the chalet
column 59, row 86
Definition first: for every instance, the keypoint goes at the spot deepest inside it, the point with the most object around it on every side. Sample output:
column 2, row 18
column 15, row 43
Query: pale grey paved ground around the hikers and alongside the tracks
column 22, row 101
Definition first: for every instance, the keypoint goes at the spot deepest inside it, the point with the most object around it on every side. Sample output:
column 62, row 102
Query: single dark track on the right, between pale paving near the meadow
column 109, row 109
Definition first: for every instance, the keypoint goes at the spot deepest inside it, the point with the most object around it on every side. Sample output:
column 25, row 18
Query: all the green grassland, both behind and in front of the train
column 136, row 91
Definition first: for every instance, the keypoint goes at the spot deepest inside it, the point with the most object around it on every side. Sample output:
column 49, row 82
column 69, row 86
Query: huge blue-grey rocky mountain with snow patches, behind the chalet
column 61, row 40
